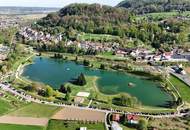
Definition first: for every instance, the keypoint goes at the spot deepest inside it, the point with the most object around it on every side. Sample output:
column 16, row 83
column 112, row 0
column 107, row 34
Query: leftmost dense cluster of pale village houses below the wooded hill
column 33, row 35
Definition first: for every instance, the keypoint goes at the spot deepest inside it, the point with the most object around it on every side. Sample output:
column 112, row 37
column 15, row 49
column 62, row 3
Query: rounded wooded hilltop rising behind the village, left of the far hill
column 87, row 18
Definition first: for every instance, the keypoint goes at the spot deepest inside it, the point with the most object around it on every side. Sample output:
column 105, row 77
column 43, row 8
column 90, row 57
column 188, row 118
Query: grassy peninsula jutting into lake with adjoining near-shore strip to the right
column 104, row 101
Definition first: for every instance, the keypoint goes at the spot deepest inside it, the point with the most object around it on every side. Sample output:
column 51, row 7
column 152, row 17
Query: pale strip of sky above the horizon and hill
column 53, row 3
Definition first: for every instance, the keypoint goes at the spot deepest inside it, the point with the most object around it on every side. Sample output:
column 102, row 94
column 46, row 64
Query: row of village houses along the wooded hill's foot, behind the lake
column 138, row 54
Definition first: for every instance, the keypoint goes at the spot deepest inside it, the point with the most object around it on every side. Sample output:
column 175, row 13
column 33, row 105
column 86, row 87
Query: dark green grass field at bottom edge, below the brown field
column 68, row 125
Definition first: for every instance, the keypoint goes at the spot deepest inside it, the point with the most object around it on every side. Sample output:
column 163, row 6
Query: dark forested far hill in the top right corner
column 151, row 6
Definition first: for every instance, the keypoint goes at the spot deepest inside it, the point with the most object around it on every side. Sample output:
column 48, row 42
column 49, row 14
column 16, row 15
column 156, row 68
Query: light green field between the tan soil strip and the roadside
column 35, row 110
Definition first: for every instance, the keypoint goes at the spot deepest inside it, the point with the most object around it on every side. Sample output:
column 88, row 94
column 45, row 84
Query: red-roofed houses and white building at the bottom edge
column 129, row 118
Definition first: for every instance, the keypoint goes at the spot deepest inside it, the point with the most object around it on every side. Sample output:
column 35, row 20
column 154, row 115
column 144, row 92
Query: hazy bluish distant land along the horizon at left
column 26, row 10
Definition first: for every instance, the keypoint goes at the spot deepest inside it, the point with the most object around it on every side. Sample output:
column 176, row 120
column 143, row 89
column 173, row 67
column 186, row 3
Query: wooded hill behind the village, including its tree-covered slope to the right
column 96, row 19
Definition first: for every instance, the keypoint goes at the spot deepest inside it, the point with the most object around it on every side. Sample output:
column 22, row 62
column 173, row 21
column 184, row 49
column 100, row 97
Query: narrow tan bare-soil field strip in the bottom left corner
column 24, row 120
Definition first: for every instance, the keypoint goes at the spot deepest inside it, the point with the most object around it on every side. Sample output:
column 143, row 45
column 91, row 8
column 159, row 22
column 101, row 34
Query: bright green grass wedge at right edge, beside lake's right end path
column 183, row 89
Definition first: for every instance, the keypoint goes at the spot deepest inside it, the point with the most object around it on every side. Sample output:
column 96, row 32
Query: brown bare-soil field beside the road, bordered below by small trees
column 78, row 114
